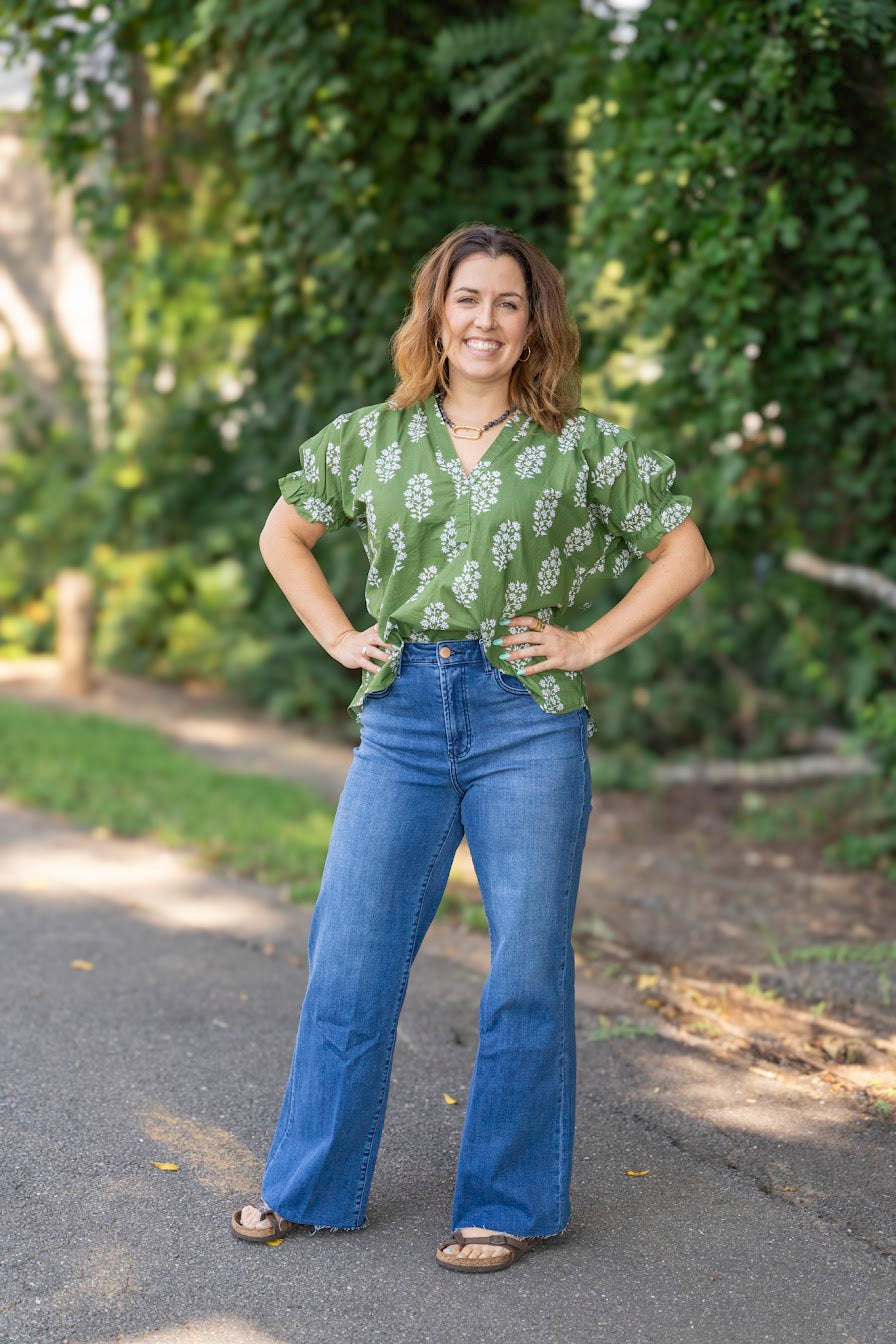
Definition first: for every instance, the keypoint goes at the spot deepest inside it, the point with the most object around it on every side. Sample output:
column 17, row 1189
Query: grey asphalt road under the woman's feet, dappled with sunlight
column 175, row 1048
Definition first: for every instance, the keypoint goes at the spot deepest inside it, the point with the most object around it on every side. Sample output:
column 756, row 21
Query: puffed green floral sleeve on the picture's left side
column 323, row 489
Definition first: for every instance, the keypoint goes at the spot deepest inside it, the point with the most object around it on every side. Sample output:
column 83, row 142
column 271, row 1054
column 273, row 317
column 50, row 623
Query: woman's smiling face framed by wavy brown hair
column 487, row 318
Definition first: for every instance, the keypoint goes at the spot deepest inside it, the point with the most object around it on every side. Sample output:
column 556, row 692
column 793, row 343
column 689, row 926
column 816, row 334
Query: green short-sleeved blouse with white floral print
column 533, row 530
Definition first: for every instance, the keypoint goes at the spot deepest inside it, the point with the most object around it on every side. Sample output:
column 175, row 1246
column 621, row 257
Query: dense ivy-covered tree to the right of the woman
column 734, row 264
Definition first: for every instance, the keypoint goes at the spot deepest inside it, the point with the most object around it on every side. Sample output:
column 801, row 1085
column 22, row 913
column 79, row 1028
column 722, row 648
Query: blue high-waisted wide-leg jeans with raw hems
column 452, row 748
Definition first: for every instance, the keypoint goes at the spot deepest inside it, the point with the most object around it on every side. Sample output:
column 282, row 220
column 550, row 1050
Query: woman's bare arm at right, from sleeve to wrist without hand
column 679, row 565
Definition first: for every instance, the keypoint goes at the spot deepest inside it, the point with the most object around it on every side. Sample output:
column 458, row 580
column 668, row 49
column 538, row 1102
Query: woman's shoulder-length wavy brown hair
column 546, row 386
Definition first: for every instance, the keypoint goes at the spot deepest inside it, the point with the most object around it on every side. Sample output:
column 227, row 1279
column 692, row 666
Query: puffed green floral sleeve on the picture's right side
column 631, row 489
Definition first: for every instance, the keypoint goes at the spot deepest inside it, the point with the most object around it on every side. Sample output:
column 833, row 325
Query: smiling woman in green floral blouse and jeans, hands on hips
column 491, row 509
